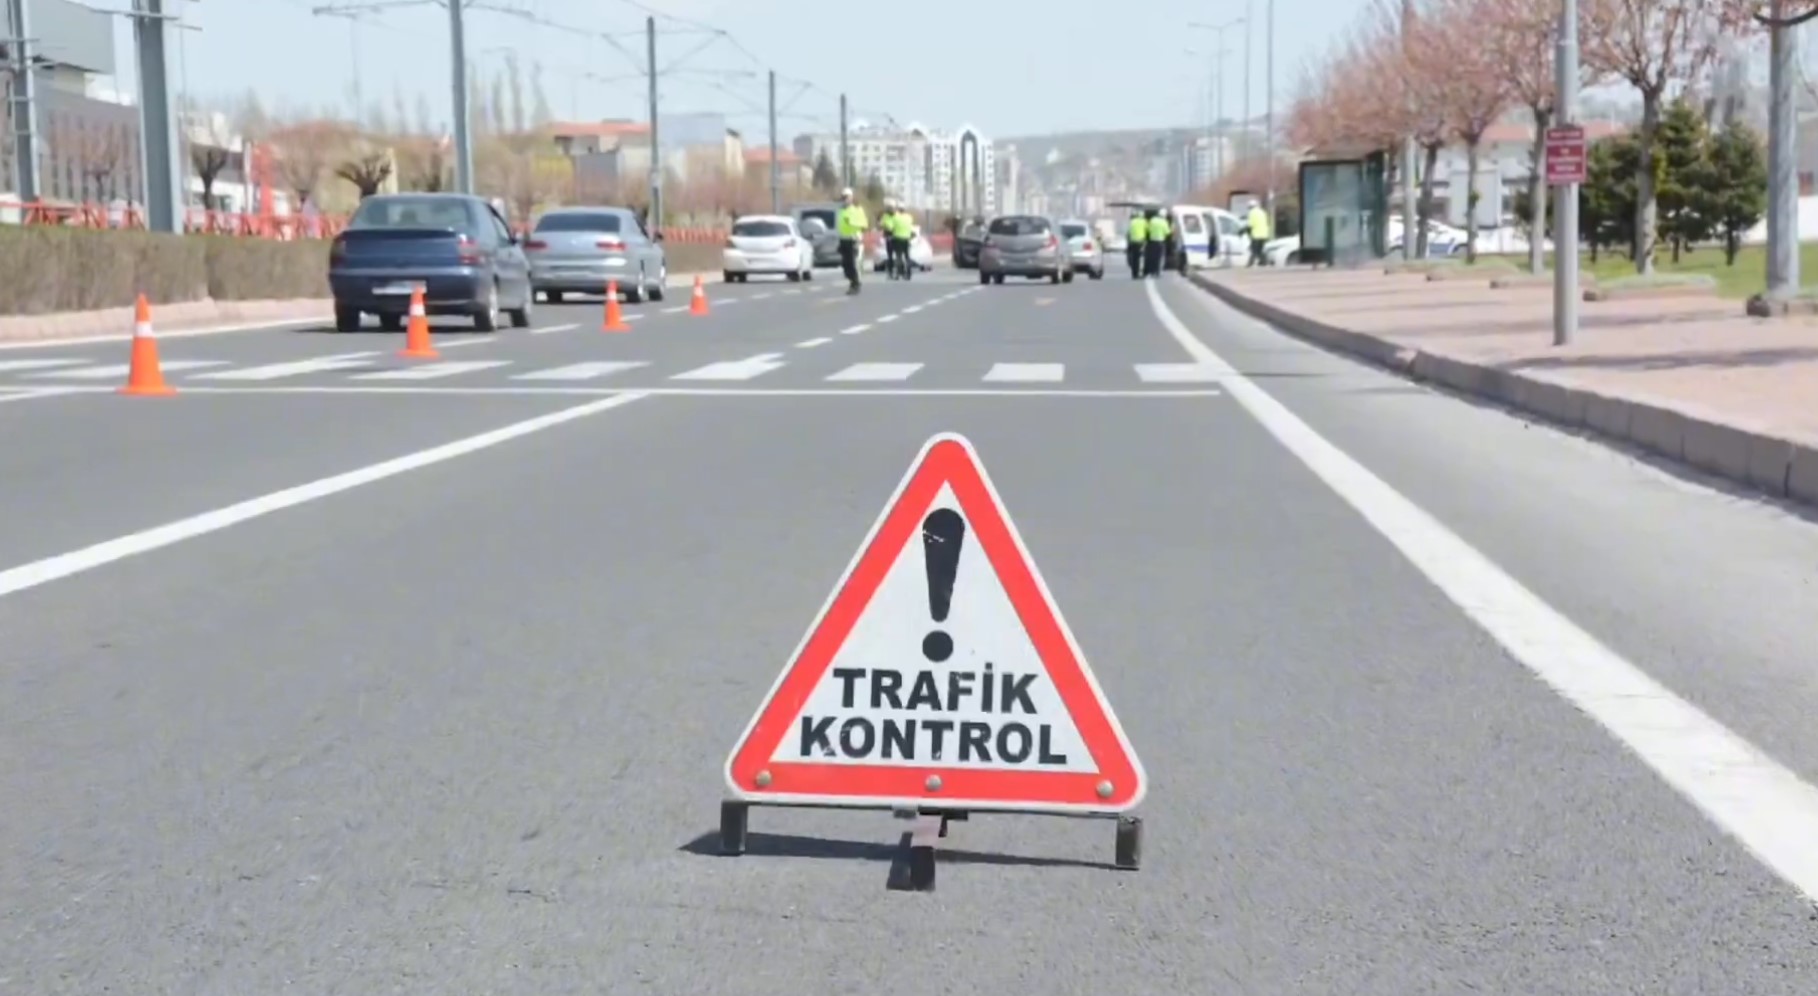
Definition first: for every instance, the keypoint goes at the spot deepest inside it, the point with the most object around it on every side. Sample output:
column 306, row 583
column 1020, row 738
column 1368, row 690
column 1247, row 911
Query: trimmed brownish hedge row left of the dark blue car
column 50, row 268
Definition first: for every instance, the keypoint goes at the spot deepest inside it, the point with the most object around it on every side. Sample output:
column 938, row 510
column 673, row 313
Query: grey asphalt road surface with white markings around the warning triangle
column 325, row 684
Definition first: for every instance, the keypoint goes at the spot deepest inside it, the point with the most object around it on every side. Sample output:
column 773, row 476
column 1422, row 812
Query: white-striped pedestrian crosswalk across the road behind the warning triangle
column 379, row 370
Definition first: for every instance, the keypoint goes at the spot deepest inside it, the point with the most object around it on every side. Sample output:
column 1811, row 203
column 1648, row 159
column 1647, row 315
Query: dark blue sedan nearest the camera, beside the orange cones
column 455, row 248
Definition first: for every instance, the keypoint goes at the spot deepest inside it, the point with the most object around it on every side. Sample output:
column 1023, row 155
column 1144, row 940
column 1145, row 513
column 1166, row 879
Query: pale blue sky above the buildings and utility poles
column 1006, row 68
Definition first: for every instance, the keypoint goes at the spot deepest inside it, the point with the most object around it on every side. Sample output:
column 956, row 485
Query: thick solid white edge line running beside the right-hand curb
column 1733, row 782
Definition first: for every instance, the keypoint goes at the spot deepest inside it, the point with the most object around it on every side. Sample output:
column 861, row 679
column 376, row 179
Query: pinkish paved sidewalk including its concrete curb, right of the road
column 1686, row 379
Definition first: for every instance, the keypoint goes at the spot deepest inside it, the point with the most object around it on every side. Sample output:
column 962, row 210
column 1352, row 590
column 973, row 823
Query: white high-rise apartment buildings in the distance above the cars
column 919, row 166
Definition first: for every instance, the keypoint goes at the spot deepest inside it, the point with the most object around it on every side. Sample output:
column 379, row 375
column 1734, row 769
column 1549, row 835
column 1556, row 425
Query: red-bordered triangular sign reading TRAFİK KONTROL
column 939, row 673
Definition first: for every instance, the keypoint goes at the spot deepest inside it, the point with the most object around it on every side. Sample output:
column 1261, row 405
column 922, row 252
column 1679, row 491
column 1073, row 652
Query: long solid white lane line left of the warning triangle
column 88, row 559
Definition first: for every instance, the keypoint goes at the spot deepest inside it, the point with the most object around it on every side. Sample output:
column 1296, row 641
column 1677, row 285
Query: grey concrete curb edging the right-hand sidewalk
column 1750, row 457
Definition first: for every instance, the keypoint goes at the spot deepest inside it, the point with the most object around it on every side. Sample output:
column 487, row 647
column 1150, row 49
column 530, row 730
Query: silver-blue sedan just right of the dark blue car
column 581, row 250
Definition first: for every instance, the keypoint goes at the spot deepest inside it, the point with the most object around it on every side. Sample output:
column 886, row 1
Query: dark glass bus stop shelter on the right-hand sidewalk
column 1344, row 206
